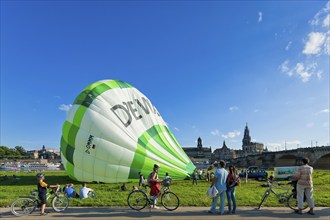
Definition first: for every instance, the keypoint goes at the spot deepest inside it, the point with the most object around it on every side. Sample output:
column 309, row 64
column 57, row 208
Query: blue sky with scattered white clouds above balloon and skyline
column 208, row 67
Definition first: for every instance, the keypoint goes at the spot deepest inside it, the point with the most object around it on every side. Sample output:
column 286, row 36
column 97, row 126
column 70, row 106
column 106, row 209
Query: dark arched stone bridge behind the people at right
column 319, row 158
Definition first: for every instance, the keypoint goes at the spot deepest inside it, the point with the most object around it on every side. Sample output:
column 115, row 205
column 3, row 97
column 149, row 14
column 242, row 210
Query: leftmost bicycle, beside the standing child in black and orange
column 25, row 205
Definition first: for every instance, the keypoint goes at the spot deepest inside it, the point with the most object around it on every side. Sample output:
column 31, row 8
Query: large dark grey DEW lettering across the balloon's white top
column 128, row 110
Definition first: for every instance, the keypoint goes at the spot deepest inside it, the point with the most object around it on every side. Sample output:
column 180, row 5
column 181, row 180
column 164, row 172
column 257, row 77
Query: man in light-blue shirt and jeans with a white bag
column 219, row 180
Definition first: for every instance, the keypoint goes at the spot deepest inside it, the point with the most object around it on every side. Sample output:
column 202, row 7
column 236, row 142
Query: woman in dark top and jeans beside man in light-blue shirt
column 231, row 182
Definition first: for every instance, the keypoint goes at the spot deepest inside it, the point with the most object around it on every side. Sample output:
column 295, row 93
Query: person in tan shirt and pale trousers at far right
column 304, row 186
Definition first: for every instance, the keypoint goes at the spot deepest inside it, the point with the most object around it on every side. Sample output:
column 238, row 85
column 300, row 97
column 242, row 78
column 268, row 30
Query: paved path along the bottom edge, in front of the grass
column 200, row 213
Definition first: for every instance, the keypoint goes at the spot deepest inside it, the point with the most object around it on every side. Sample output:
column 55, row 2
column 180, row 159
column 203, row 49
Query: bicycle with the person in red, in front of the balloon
column 138, row 199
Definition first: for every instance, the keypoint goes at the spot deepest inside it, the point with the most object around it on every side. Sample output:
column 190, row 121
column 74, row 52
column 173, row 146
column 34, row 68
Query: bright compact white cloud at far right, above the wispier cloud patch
column 314, row 43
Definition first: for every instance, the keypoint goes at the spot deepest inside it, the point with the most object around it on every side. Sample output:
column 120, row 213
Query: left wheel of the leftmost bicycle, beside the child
column 23, row 206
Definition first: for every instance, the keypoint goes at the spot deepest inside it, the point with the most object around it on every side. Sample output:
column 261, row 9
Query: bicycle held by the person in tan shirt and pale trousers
column 288, row 198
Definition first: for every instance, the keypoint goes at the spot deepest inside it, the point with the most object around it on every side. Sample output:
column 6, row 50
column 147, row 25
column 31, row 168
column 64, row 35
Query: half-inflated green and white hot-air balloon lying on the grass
column 112, row 132
